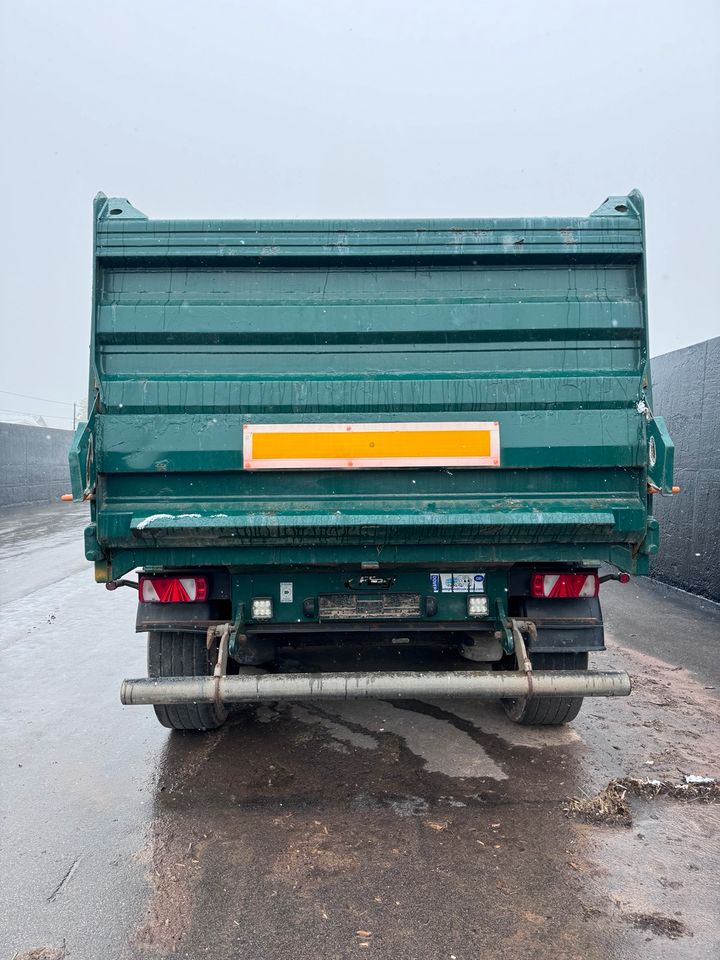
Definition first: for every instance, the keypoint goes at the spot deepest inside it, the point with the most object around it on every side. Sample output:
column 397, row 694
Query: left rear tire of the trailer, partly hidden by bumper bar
column 180, row 654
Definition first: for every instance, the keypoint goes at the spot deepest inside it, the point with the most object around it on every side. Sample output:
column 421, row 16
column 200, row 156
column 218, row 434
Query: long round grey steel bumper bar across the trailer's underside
column 479, row 684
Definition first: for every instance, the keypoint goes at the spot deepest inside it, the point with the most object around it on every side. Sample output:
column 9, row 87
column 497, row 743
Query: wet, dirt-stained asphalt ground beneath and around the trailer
column 410, row 831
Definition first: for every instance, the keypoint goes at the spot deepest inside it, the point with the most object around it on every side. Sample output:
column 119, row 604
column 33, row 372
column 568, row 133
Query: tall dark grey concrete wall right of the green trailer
column 686, row 391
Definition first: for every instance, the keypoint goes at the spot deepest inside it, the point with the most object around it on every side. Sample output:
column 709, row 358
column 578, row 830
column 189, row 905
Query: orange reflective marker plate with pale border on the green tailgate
column 357, row 446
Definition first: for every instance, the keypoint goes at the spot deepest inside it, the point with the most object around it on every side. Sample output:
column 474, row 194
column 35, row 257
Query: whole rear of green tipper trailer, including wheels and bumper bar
column 370, row 458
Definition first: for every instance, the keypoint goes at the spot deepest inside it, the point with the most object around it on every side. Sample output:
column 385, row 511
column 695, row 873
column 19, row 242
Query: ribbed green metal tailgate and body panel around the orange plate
column 202, row 326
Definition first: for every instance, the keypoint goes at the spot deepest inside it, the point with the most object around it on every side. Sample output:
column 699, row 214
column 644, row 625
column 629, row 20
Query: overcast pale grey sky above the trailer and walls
column 228, row 108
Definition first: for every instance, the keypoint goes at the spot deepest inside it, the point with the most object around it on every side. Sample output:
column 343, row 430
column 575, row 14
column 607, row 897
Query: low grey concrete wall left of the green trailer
column 33, row 464
